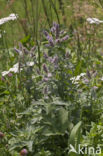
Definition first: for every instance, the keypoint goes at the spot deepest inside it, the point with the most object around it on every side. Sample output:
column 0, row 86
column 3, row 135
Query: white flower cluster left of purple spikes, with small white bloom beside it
column 16, row 69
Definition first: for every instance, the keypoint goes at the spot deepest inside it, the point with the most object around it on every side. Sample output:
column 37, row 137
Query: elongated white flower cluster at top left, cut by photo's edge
column 9, row 18
